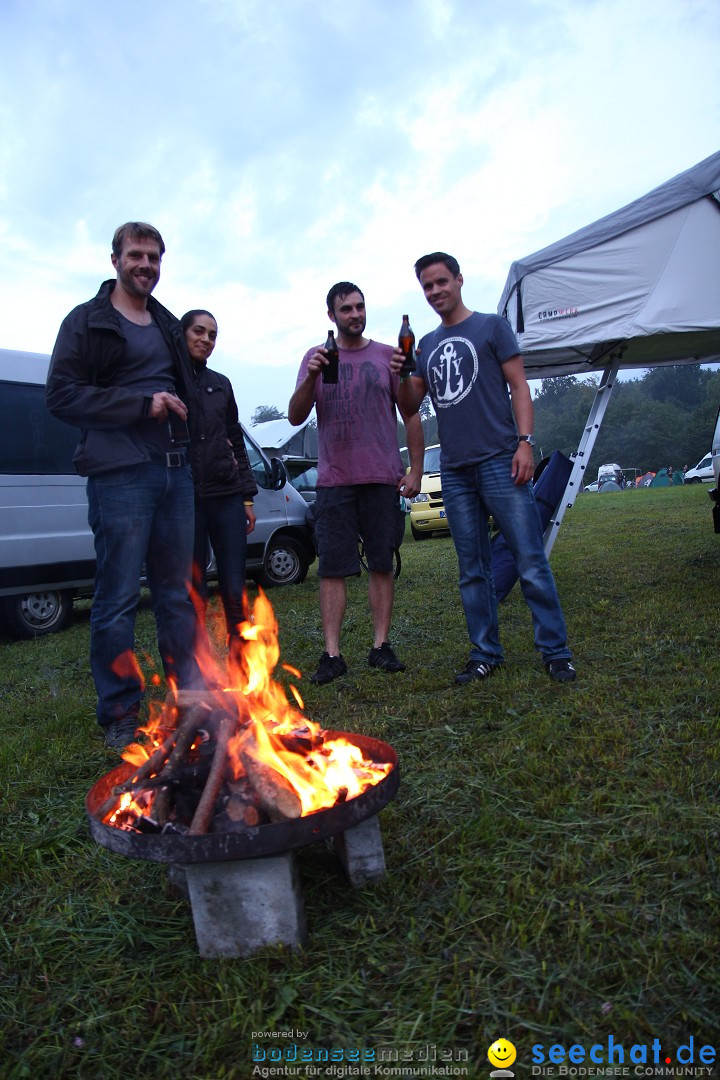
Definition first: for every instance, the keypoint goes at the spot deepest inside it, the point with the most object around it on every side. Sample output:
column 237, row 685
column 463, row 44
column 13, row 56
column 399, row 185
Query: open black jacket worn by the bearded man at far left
column 85, row 383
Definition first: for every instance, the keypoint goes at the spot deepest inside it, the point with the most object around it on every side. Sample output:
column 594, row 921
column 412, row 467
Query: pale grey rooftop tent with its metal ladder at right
column 639, row 289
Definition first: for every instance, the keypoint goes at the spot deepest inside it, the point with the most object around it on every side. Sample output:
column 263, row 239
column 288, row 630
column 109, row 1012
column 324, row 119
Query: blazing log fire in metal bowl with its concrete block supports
column 242, row 775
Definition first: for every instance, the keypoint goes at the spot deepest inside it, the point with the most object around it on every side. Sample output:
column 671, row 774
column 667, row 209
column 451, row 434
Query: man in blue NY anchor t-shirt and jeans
column 473, row 370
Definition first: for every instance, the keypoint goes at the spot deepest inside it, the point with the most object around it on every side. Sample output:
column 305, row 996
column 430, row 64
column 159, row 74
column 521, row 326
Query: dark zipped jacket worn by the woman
column 219, row 469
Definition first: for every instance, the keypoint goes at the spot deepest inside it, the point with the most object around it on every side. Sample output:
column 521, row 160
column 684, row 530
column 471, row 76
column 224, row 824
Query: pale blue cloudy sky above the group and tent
column 283, row 145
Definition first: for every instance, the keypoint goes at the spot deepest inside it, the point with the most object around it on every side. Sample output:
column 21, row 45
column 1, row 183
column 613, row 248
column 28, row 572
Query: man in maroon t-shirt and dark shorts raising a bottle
column 360, row 475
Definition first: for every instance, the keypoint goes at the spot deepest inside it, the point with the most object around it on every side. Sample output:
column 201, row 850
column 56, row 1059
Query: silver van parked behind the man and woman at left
column 47, row 551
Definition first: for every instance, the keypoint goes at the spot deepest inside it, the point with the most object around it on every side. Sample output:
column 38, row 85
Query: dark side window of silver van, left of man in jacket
column 32, row 441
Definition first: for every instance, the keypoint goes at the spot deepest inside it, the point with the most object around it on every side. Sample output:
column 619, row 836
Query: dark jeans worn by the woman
column 223, row 521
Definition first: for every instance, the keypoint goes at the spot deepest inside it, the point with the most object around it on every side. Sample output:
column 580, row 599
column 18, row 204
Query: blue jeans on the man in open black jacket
column 141, row 516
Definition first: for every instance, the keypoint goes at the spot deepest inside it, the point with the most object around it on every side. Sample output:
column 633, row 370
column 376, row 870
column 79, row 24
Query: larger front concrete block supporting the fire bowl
column 238, row 908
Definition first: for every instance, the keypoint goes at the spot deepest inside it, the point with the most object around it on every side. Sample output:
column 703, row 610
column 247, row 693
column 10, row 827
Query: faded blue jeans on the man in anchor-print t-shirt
column 471, row 495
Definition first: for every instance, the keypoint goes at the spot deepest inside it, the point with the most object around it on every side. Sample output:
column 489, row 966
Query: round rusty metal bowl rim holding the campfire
column 253, row 843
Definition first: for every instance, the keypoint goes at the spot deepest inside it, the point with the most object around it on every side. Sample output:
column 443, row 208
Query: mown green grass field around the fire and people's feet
column 552, row 853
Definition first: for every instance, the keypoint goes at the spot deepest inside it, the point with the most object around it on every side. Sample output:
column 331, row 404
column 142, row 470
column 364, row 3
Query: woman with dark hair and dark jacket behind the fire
column 222, row 474
